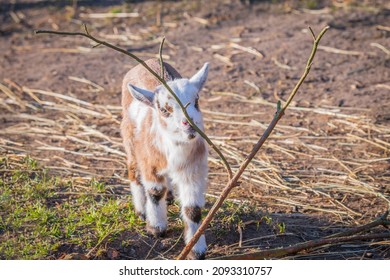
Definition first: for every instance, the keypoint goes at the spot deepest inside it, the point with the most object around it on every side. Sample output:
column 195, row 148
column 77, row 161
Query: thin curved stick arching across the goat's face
column 160, row 79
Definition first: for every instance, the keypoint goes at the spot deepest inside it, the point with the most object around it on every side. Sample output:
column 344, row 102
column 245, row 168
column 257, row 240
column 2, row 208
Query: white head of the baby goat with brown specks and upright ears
column 169, row 111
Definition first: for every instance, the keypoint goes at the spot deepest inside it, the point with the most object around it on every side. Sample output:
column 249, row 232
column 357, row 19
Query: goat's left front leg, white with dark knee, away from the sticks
column 156, row 207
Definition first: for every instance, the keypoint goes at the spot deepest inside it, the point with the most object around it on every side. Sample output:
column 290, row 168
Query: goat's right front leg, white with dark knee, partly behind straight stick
column 192, row 202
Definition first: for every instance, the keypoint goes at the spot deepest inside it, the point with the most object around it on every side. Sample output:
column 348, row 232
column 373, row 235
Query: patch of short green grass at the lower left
column 40, row 214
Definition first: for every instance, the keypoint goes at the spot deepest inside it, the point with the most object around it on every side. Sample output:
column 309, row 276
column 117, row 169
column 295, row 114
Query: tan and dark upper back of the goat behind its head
column 140, row 77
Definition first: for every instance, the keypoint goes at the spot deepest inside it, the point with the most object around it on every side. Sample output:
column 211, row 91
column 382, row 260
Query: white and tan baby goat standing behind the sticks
column 163, row 149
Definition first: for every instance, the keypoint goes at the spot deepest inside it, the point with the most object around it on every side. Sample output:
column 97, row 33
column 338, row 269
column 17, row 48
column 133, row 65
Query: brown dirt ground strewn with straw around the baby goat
column 326, row 166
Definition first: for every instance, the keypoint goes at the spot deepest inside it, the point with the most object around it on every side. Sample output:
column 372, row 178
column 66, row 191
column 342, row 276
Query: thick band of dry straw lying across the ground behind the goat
column 84, row 150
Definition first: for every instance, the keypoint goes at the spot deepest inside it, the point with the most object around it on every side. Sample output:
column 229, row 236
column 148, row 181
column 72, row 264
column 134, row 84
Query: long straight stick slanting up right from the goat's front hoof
column 233, row 182
